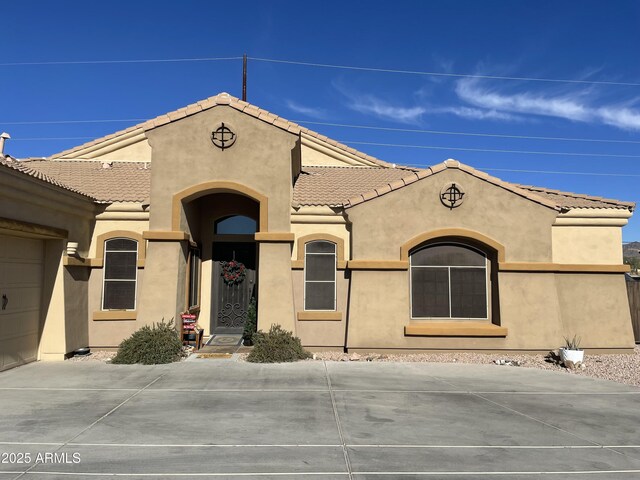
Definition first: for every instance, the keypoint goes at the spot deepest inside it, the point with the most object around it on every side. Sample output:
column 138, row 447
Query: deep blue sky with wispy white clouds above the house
column 587, row 41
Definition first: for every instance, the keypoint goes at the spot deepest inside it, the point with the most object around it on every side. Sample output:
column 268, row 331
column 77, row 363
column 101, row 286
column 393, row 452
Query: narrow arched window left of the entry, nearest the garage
column 120, row 274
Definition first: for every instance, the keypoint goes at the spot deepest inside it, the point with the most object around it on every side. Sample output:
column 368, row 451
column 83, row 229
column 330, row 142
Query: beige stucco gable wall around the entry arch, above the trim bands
column 184, row 156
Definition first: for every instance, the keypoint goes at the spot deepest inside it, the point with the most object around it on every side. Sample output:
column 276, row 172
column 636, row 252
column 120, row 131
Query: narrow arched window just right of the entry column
column 320, row 275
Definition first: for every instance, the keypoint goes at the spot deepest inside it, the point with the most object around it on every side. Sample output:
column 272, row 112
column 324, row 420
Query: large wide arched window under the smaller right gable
column 449, row 280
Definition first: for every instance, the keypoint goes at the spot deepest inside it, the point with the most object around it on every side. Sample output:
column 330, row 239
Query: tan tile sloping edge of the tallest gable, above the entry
column 226, row 99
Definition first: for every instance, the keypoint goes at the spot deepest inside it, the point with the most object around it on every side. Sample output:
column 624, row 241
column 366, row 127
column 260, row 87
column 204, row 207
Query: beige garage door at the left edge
column 20, row 299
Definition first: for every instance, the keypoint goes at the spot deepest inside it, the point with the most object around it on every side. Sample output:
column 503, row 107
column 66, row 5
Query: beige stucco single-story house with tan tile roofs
column 221, row 203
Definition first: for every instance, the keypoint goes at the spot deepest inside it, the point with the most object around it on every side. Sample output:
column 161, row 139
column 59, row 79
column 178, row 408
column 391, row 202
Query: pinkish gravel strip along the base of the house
column 618, row 368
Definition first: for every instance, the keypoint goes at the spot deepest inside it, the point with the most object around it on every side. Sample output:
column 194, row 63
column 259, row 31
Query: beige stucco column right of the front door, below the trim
column 275, row 287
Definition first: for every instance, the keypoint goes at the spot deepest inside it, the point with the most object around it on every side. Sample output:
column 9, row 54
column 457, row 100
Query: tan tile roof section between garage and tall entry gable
column 119, row 182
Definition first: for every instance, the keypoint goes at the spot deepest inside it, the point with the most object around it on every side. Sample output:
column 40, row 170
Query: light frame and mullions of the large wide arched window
column 487, row 269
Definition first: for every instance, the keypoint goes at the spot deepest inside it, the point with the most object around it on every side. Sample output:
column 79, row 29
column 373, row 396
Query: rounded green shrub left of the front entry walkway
column 159, row 343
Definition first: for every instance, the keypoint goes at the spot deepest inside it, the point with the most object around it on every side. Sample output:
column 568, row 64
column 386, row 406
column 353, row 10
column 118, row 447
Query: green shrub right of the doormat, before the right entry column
column 275, row 346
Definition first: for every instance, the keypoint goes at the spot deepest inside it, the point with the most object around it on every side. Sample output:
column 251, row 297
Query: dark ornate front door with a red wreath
column 234, row 285
